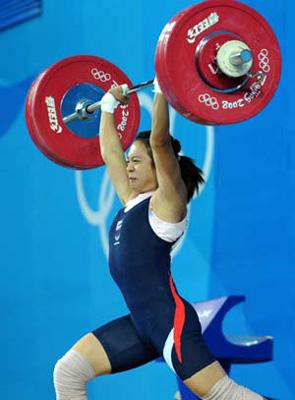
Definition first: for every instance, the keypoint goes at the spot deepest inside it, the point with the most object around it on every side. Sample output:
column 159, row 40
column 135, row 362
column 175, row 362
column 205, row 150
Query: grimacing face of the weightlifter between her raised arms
column 140, row 169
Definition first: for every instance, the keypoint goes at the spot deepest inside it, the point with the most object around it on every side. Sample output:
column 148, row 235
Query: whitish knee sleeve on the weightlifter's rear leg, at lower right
column 227, row 389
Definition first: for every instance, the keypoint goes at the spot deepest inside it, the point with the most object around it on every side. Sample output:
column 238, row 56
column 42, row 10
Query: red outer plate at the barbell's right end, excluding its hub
column 176, row 68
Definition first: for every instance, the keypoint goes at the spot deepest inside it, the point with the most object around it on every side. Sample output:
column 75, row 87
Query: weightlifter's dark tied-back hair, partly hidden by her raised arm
column 190, row 173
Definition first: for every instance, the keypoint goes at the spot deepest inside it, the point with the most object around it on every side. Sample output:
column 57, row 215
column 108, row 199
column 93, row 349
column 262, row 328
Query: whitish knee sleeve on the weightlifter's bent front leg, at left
column 71, row 374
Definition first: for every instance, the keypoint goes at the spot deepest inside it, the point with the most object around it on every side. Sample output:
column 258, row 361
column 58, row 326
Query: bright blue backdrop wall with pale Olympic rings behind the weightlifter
column 55, row 284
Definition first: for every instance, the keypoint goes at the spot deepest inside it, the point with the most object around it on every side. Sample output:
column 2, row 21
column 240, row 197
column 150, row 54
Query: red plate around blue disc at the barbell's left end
column 43, row 110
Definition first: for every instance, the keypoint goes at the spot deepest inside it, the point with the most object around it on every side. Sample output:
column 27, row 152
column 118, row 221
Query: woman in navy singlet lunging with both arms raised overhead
column 154, row 187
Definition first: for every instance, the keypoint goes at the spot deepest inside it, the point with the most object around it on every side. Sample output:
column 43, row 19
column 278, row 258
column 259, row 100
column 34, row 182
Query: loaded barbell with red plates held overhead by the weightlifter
column 217, row 62
